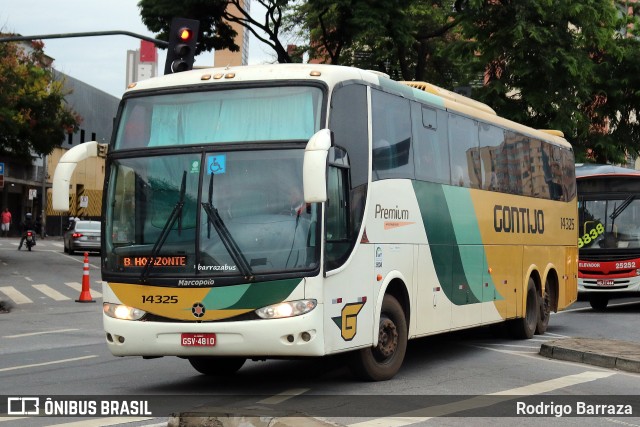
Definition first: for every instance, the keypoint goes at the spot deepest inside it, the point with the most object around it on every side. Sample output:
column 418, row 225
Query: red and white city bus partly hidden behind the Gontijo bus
column 609, row 232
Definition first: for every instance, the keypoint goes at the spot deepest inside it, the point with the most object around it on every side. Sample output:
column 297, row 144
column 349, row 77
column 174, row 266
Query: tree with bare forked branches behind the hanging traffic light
column 214, row 16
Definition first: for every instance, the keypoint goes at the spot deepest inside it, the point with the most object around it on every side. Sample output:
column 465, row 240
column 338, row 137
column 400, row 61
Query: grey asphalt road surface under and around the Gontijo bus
column 51, row 345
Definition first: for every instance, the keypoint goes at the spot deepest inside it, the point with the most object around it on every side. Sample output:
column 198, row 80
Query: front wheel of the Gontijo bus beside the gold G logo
column 383, row 361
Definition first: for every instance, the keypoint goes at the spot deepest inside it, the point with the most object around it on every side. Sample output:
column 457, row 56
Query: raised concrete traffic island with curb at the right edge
column 613, row 354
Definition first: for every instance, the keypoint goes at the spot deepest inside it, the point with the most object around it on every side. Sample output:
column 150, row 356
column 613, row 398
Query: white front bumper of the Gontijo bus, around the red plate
column 287, row 337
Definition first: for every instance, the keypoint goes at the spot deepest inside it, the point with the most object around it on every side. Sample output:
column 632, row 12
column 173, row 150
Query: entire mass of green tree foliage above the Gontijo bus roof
column 548, row 64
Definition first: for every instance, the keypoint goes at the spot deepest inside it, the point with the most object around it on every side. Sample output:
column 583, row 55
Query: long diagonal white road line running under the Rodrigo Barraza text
column 417, row 416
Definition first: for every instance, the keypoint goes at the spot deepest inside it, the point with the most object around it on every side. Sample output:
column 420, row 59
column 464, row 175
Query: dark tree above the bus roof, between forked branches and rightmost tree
column 404, row 38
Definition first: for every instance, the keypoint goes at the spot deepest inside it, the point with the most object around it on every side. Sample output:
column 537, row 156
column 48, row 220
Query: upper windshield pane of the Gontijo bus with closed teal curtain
column 209, row 117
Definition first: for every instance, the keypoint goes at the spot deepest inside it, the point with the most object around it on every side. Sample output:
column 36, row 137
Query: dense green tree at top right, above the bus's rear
column 554, row 65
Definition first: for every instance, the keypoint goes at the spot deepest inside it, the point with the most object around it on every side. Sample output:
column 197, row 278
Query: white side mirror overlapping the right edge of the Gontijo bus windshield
column 314, row 169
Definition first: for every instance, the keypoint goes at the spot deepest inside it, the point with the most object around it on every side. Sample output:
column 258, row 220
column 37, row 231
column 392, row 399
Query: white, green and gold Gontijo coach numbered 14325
column 279, row 211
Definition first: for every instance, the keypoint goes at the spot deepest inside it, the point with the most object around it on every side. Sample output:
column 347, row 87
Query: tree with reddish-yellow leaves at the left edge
column 34, row 117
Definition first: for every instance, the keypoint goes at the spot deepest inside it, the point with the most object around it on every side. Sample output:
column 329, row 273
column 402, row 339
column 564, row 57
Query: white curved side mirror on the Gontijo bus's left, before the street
column 64, row 171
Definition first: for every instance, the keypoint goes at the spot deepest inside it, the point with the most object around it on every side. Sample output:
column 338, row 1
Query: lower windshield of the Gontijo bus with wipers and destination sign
column 244, row 215
